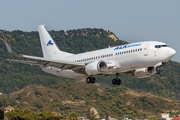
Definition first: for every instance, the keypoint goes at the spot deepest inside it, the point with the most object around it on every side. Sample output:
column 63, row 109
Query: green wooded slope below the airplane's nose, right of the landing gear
column 166, row 84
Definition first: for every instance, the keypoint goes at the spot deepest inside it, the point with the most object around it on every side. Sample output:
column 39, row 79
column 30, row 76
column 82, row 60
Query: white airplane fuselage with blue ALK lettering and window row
column 127, row 57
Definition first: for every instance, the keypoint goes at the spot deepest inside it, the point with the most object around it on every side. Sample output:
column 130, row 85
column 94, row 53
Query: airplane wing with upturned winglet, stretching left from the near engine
column 63, row 65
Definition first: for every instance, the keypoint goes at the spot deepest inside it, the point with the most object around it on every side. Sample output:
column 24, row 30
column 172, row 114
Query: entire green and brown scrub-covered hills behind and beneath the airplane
column 71, row 95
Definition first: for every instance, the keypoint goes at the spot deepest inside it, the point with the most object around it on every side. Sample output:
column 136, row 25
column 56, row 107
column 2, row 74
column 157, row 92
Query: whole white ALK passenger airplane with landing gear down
column 142, row 59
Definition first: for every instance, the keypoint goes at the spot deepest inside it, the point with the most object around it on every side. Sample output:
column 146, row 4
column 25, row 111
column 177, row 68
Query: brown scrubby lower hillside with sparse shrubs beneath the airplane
column 79, row 97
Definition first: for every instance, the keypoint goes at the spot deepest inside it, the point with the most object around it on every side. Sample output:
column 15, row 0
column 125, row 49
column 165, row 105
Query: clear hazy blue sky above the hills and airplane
column 130, row 20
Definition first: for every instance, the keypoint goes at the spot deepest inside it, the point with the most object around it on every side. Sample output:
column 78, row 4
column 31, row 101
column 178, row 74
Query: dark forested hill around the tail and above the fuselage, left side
column 15, row 76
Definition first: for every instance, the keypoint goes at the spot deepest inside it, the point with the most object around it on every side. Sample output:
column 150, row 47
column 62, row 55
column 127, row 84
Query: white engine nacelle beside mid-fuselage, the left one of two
column 96, row 67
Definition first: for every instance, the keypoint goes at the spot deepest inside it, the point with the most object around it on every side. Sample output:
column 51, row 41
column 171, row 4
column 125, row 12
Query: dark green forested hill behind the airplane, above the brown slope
column 15, row 76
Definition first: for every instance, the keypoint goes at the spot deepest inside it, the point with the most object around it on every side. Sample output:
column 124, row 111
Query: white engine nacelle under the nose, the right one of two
column 144, row 72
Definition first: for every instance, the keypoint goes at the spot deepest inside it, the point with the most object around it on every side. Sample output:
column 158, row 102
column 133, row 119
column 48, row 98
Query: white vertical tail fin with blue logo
column 49, row 47
